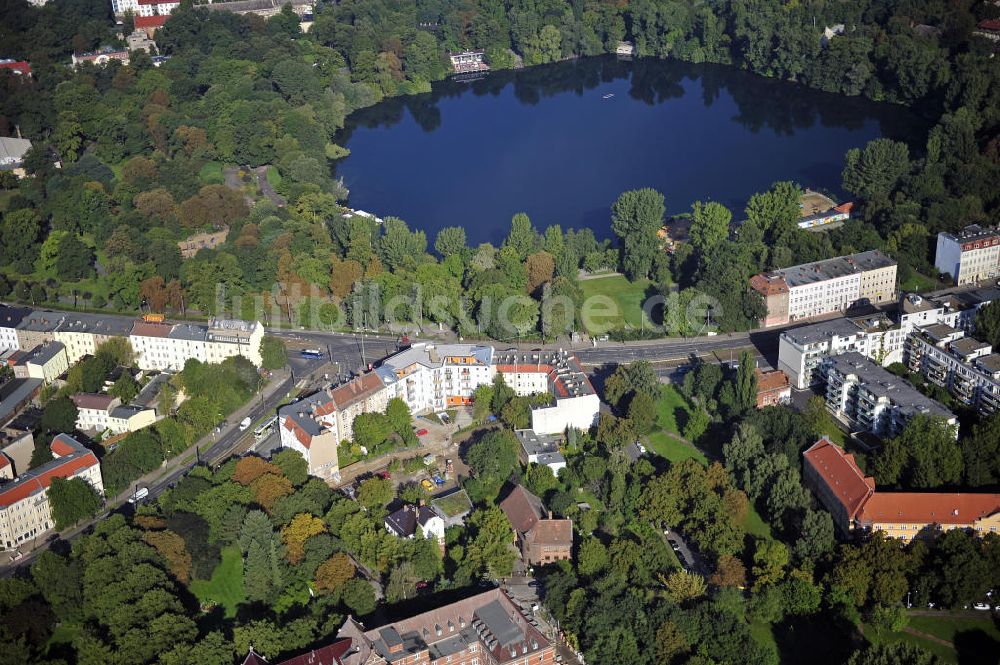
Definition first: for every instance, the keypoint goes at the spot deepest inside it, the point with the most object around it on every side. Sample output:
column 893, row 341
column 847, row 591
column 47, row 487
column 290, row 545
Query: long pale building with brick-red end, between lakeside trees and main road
column 825, row 287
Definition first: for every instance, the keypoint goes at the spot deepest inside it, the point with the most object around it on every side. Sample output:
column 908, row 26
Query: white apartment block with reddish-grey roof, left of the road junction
column 166, row 347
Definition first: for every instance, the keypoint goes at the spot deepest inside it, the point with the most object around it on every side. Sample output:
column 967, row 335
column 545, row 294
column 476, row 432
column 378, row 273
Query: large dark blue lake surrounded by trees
column 551, row 141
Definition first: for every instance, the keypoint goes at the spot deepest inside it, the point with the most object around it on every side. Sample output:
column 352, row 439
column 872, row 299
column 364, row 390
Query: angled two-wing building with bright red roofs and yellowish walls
column 856, row 505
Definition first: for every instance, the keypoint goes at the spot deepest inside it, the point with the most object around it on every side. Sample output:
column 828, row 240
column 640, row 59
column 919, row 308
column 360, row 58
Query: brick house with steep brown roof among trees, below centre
column 542, row 540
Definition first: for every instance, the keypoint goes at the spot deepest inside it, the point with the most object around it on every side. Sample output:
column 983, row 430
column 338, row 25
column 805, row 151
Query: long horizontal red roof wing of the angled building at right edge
column 928, row 508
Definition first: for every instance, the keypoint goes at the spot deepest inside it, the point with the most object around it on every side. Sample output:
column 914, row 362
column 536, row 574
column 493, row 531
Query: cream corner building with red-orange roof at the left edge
column 24, row 503
